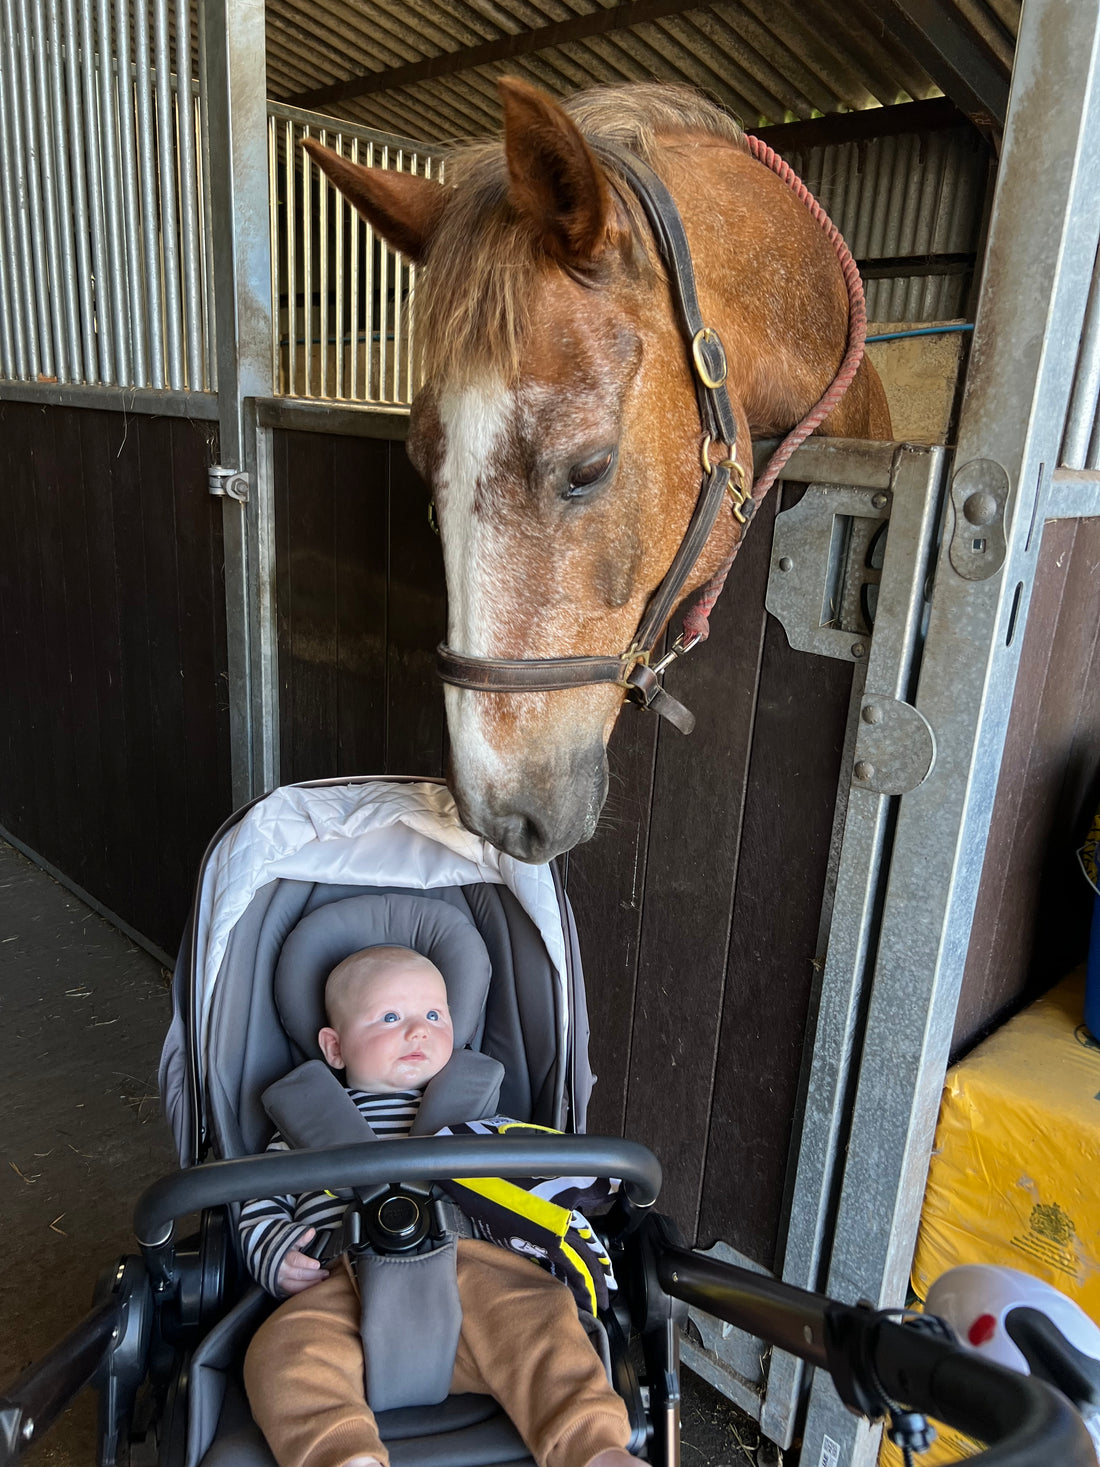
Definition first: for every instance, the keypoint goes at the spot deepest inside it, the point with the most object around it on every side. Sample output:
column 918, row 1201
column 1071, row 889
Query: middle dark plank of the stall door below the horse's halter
column 694, row 852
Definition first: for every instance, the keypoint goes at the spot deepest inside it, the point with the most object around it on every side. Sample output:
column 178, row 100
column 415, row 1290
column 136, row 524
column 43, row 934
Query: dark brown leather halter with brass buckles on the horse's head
column 631, row 670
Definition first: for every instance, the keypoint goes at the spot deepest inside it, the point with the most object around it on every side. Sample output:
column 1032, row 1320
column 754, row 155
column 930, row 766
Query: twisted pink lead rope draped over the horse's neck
column 697, row 618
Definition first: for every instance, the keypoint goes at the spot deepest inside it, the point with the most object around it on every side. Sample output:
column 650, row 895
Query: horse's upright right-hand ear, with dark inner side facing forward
column 555, row 178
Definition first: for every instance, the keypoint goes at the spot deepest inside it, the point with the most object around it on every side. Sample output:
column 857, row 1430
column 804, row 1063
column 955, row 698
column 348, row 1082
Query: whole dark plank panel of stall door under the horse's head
column 699, row 907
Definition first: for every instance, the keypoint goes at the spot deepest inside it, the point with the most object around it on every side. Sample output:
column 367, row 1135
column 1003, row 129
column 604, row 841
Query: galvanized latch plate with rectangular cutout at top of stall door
column 826, row 566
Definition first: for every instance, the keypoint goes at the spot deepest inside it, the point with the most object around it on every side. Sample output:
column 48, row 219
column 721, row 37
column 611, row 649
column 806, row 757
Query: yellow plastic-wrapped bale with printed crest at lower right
column 1016, row 1167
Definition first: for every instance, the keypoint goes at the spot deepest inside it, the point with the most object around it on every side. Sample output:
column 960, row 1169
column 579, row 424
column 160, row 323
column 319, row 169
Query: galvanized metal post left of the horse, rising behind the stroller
column 237, row 124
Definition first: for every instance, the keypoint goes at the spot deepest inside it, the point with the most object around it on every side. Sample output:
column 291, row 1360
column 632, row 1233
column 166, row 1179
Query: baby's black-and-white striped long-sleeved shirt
column 272, row 1226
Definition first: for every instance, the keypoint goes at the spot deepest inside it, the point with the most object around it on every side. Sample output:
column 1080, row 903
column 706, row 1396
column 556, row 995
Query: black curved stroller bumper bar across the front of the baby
column 367, row 1164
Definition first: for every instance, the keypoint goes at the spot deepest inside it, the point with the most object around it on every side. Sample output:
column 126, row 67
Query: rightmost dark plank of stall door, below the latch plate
column 787, row 833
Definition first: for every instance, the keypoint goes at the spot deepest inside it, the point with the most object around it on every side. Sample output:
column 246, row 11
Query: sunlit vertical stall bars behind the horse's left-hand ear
column 341, row 299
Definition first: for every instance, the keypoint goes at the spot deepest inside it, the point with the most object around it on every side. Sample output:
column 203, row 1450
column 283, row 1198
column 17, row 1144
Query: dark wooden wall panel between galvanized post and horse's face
column 362, row 610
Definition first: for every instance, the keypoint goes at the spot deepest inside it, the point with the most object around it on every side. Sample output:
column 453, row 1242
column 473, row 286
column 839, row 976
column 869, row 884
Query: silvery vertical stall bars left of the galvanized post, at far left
column 102, row 278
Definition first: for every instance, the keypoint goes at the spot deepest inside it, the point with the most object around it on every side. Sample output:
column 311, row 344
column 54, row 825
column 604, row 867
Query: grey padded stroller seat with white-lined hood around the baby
column 250, row 1004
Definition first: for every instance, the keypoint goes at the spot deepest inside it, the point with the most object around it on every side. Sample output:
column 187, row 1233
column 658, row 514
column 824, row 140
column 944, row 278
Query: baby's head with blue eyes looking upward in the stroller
column 392, row 1031
